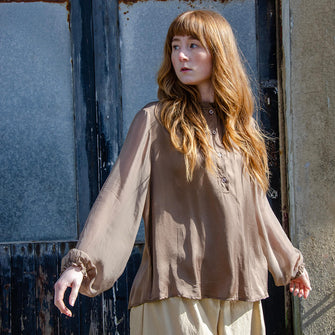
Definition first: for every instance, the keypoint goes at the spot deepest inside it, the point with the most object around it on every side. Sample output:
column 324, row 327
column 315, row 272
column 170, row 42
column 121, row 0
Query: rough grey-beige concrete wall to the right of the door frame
column 309, row 100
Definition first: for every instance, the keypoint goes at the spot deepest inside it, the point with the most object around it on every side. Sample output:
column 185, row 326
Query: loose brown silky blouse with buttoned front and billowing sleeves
column 213, row 237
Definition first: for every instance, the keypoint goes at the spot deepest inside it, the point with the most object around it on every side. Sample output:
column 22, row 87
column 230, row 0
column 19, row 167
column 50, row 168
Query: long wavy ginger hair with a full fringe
column 181, row 104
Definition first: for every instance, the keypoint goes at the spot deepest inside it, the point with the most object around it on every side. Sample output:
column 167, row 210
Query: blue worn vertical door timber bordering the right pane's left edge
column 107, row 83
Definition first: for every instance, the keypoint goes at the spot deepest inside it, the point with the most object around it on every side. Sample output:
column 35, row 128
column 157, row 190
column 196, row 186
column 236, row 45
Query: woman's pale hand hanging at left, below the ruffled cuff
column 71, row 277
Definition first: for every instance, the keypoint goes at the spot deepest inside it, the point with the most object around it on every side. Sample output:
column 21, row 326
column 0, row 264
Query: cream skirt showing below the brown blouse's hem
column 179, row 316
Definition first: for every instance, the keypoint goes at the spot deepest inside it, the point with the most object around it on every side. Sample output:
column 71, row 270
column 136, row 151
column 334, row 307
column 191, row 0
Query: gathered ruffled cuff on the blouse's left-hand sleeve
column 80, row 259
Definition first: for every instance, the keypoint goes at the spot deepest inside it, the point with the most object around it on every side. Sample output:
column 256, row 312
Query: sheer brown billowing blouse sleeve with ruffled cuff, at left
column 107, row 239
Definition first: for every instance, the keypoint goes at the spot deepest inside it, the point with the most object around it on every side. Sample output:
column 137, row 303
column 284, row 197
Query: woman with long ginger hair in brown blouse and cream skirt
column 194, row 166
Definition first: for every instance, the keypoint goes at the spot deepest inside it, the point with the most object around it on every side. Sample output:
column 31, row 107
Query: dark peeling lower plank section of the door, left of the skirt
column 29, row 299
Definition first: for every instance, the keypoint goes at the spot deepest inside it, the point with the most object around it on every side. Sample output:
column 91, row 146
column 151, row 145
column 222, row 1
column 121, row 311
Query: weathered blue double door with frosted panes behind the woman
column 115, row 50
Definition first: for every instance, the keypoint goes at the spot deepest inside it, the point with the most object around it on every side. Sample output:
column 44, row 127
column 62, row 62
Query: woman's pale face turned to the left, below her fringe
column 192, row 63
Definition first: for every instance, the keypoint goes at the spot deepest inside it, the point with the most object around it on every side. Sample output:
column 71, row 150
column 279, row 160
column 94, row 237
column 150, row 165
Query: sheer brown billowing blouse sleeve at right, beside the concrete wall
column 283, row 259
